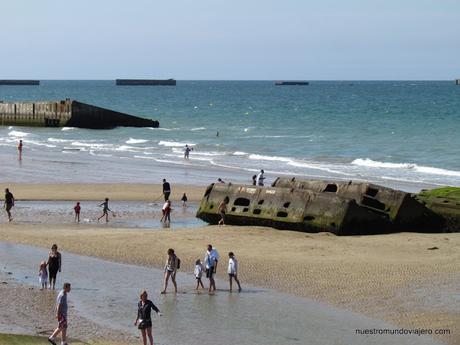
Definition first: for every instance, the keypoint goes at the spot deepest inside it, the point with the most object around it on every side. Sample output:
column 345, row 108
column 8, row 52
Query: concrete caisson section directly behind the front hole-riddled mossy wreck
column 405, row 212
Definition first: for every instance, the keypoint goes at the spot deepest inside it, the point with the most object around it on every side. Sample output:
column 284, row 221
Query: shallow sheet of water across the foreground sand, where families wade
column 107, row 293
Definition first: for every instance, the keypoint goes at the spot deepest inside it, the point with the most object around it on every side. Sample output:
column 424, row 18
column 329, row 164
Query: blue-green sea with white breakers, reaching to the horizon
column 402, row 134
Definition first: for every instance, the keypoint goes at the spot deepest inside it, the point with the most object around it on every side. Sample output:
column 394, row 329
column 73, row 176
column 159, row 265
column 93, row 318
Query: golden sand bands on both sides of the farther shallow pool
column 407, row 279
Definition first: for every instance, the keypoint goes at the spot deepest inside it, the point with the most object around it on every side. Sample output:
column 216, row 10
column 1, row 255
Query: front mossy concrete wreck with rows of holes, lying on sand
column 292, row 209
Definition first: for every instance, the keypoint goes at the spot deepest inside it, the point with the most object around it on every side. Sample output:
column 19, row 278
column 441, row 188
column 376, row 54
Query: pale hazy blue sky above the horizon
column 233, row 39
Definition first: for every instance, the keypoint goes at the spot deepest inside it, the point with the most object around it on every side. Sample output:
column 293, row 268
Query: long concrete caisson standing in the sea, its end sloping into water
column 67, row 113
